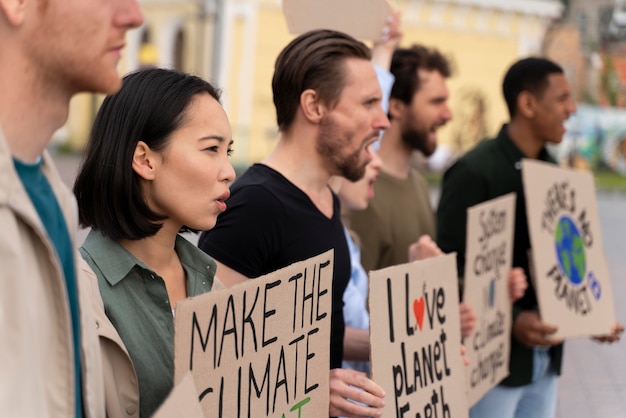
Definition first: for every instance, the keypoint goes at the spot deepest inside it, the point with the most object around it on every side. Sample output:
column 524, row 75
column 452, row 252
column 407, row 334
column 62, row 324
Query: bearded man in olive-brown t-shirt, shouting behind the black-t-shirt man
column 401, row 212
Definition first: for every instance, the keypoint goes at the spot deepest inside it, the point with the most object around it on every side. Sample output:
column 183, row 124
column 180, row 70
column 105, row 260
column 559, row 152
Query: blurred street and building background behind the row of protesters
column 234, row 43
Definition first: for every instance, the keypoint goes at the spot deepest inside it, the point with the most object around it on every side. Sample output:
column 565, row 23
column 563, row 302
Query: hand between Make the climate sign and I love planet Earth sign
column 349, row 384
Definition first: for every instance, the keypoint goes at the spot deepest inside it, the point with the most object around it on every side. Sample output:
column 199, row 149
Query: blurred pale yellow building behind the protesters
column 234, row 43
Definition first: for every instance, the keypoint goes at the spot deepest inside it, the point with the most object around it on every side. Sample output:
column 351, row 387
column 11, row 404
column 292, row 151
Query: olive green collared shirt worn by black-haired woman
column 136, row 302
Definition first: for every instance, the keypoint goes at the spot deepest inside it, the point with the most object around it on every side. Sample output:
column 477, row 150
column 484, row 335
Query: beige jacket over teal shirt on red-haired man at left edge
column 36, row 362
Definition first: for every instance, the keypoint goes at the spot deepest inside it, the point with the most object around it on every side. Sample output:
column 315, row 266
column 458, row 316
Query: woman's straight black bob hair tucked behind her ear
column 150, row 105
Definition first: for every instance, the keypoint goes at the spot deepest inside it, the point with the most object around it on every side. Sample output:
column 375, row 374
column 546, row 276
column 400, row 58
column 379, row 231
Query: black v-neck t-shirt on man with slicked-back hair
column 269, row 224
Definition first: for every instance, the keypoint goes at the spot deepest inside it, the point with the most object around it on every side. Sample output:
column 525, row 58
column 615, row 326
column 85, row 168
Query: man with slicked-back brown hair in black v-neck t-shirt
column 328, row 105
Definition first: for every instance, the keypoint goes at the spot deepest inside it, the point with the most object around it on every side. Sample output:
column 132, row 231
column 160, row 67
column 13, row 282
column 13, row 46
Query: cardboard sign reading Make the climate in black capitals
column 261, row 348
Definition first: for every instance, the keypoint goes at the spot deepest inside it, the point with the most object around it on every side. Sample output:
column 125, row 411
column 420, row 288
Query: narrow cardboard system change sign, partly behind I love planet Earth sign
column 488, row 259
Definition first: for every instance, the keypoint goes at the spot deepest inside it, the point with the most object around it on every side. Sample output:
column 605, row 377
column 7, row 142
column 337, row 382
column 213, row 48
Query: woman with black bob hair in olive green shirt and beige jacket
column 156, row 164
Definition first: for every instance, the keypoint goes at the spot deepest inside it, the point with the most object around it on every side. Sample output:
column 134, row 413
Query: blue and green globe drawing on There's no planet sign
column 570, row 250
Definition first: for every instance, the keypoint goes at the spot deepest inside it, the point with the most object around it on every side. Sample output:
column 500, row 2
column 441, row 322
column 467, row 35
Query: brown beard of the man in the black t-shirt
column 330, row 142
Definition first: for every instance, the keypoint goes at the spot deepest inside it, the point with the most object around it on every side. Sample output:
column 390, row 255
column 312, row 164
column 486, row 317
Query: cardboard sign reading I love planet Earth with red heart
column 415, row 339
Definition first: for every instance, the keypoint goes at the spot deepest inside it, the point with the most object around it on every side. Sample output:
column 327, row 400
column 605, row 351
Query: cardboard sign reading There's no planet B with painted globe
column 570, row 272
